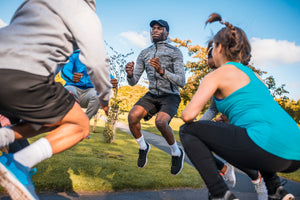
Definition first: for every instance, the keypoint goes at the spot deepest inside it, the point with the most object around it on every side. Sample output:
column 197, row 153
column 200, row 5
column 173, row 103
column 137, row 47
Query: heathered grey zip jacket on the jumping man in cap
column 171, row 60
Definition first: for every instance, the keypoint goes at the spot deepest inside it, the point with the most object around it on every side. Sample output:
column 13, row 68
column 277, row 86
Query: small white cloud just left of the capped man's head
column 140, row 40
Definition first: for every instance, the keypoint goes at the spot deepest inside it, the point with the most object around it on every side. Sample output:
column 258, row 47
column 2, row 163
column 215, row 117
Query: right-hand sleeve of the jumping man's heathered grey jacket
column 178, row 76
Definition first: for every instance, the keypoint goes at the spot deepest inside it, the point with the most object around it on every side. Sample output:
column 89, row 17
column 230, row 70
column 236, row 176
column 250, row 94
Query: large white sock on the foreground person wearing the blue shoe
column 34, row 153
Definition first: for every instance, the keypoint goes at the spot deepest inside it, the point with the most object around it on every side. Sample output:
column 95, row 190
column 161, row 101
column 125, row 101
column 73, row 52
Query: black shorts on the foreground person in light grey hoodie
column 35, row 99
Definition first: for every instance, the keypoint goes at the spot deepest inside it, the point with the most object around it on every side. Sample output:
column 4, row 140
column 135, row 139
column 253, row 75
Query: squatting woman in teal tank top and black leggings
column 260, row 136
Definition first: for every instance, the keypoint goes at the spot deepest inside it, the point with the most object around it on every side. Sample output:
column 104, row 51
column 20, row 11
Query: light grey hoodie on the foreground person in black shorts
column 44, row 33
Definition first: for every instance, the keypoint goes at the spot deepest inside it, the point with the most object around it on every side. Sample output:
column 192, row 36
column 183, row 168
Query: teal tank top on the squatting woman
column 268, row 125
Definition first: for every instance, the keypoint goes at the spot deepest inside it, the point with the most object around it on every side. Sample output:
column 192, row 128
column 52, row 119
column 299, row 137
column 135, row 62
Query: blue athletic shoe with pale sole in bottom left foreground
column 16, row 179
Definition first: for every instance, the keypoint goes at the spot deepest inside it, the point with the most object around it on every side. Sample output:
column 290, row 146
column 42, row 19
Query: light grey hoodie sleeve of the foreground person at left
column 87, row 31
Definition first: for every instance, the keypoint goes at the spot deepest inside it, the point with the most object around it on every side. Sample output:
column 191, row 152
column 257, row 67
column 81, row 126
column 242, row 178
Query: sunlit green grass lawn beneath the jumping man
column 95, row 166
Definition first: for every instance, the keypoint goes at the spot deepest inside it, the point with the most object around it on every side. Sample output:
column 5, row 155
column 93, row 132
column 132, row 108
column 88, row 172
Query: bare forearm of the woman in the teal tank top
column 207, row 88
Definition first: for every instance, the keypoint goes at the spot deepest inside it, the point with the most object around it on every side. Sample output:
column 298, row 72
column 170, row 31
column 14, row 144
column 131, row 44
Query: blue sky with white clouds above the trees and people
column 272, row 26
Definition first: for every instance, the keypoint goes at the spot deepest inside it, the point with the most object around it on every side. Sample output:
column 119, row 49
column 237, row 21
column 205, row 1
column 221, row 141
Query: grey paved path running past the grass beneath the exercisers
column 244, row 189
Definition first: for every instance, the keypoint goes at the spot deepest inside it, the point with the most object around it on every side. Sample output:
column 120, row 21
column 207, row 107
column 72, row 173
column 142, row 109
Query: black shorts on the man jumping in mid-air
column 153, row 104
